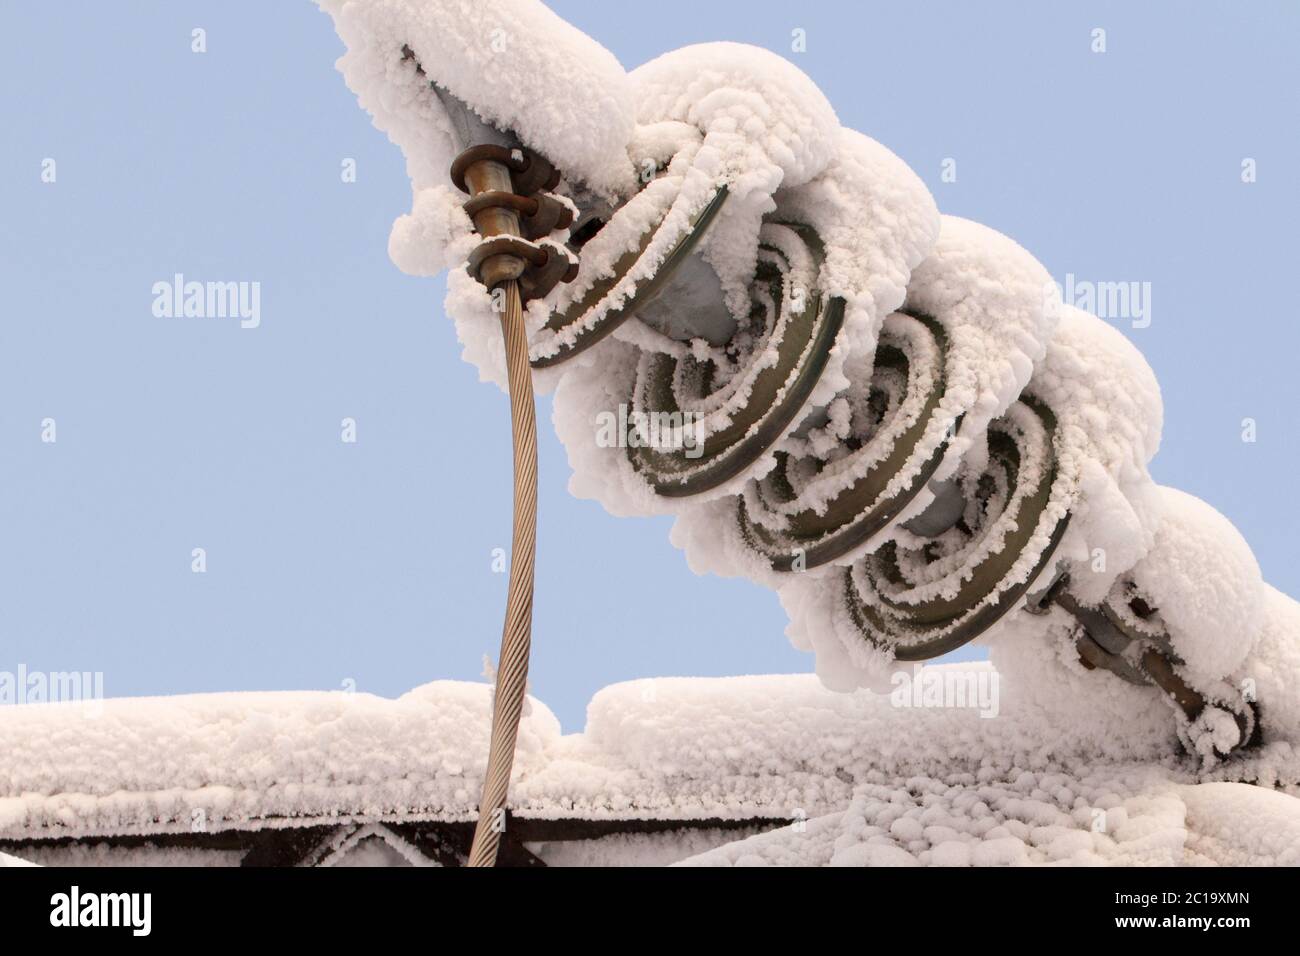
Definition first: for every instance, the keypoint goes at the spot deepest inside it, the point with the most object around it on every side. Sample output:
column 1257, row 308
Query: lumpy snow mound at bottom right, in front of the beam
column 1102, row 819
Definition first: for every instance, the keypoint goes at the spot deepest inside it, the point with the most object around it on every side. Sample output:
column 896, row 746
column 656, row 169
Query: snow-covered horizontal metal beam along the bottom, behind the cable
column 956, row 767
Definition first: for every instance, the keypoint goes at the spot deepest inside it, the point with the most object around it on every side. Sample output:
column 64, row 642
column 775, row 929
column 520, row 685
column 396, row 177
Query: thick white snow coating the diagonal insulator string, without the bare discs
column 660, row 144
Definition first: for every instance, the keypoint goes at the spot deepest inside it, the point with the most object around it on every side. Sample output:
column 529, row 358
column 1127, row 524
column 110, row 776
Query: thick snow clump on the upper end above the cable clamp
column 519, row 67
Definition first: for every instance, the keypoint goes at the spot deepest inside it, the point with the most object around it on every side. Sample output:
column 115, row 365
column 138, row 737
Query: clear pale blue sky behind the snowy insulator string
column 371, row 564
